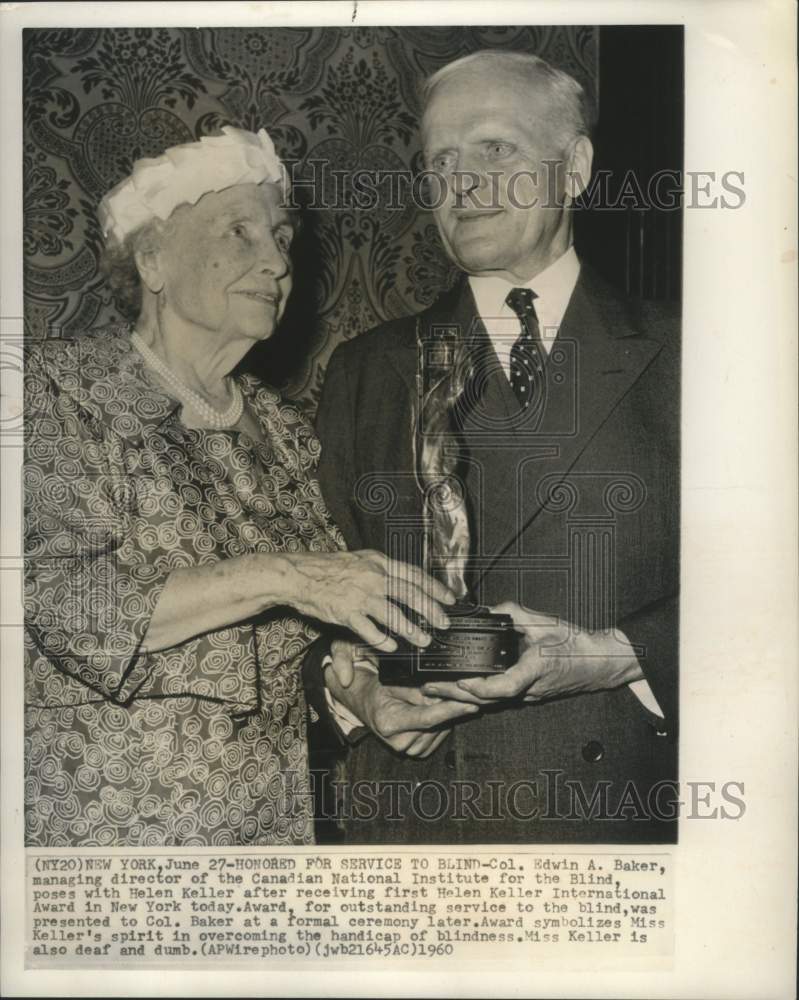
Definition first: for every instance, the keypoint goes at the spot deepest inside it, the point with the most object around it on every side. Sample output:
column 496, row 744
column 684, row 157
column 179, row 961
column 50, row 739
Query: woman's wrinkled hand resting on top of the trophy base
column 358, row 591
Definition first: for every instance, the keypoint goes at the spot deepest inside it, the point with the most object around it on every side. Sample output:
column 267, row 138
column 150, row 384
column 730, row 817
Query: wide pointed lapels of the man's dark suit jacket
column 598, row 356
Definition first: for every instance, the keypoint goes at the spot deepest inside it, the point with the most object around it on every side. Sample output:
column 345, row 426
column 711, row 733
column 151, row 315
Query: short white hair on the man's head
column 572, row 113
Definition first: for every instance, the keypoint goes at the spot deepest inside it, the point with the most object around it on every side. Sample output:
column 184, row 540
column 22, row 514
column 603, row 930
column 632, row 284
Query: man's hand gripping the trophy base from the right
column 556, row 659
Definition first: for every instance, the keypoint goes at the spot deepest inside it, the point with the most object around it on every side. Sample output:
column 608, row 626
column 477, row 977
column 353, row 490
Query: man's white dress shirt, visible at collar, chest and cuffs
column 553, row 288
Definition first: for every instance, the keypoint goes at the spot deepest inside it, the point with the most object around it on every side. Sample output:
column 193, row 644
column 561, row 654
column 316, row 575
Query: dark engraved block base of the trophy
column 477, row 642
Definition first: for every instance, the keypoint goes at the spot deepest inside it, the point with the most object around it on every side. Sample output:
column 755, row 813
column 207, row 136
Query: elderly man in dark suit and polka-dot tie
column 572, row 482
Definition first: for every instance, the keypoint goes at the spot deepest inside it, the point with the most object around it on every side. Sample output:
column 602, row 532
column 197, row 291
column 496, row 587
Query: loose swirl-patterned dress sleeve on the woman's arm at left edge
column 90, row 591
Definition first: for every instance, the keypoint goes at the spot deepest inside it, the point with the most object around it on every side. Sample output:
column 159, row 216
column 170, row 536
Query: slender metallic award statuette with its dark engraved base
column 478, row 641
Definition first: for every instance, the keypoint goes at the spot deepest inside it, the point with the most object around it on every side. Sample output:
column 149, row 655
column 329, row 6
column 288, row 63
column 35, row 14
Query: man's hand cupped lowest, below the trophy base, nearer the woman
column 404, row 718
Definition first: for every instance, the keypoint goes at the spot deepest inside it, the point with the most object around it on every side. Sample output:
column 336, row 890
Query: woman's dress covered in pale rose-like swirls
column 203, row 743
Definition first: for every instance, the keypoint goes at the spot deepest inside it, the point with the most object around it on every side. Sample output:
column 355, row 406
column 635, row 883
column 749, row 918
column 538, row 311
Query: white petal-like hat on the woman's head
column 184, row 174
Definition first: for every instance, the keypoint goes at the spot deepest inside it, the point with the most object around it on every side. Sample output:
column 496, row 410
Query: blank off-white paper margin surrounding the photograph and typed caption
column 735, row 881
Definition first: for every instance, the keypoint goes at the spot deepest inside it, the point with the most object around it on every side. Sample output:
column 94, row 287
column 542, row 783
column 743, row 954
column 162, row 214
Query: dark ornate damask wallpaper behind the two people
column 95, row 100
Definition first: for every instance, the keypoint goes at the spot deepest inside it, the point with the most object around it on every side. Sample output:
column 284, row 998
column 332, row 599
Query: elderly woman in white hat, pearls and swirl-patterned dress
column 178, row 549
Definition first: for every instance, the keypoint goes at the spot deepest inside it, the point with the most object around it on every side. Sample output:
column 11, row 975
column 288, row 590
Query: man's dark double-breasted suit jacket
column 575, row 509
